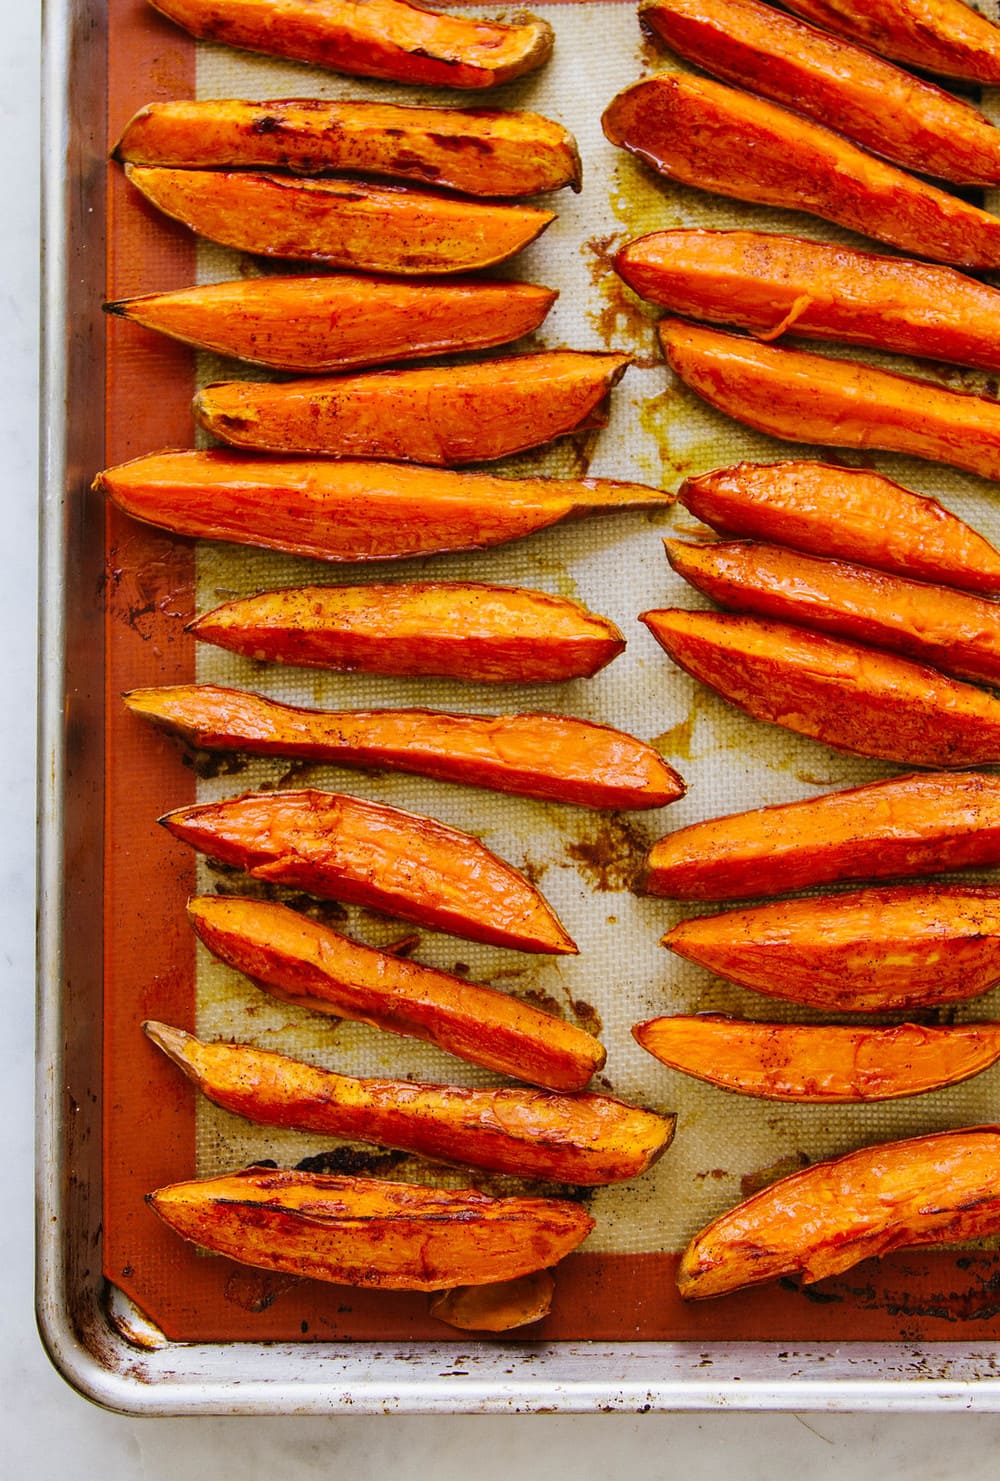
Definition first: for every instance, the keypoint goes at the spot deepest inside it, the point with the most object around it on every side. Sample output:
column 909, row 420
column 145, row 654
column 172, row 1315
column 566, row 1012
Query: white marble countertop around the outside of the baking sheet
column 47, row 1428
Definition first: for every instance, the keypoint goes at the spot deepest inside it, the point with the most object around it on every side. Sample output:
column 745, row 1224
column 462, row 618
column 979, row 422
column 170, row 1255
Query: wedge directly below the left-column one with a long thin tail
column 461, row 630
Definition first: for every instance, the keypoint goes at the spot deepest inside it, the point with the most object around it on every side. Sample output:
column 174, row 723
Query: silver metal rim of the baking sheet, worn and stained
column 99, row 1344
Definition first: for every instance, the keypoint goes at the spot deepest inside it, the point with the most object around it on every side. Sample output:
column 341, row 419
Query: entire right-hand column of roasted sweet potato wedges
column 839, row 953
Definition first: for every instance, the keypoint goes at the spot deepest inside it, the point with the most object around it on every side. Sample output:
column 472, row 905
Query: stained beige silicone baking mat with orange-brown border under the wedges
column 156, row 1129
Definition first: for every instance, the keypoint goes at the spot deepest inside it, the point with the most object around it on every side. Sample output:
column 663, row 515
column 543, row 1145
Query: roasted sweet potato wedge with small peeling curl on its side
column 774, row 285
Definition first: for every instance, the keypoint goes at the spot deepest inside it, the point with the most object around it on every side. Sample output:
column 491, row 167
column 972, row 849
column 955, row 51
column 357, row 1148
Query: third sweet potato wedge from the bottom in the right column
column 867, row 952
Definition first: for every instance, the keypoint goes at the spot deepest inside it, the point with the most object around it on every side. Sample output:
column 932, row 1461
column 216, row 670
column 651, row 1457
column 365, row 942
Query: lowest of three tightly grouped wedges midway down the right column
column 853, row 698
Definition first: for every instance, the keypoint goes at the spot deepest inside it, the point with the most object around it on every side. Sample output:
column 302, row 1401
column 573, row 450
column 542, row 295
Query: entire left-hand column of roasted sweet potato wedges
column 349, row 1230
